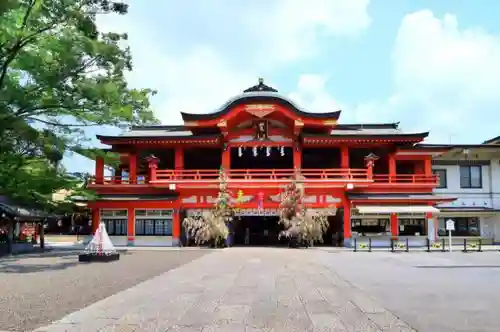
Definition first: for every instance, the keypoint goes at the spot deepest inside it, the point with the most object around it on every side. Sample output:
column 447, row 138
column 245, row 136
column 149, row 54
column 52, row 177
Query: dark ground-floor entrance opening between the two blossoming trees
column 257, row 231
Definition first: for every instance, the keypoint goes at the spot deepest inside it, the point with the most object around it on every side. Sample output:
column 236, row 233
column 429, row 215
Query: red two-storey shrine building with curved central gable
column 372, row 178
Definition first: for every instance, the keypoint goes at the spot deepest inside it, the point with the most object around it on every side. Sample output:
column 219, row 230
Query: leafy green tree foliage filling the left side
column 58, row 76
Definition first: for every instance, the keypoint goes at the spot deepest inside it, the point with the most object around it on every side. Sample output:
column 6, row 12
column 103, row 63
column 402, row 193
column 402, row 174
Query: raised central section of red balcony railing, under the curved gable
column 261, row 174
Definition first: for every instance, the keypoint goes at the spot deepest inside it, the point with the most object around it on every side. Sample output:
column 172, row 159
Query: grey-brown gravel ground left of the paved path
column 36, row 290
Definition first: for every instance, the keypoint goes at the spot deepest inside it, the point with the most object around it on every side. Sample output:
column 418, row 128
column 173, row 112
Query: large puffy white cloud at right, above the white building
column 446, row 79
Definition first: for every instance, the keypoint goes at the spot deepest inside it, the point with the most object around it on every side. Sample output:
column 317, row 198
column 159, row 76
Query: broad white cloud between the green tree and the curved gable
column 199, row 59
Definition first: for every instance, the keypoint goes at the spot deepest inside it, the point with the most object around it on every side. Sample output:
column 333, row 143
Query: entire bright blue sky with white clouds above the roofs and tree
column 432, row 65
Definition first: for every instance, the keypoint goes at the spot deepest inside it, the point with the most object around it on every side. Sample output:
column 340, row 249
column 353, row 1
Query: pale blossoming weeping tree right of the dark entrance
column 299, row 223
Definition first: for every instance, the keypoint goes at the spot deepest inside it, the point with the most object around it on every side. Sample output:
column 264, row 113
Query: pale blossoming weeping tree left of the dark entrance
column 212, row 225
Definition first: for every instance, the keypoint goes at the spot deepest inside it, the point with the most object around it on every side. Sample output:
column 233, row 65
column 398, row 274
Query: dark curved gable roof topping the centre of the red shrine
column 259, row 93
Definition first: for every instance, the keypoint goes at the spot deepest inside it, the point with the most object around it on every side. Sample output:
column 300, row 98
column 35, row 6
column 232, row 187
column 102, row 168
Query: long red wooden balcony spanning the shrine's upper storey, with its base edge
column 266, row 178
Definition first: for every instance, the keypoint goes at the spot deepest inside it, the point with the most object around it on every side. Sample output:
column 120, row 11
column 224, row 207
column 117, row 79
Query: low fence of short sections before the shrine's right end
column 404, row 245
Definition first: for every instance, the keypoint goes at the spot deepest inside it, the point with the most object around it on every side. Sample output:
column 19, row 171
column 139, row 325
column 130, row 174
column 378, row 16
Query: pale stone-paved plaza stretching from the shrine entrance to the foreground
column 268, row 289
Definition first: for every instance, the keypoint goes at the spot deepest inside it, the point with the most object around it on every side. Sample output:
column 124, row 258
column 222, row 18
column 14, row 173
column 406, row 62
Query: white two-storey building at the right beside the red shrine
column 471, row 173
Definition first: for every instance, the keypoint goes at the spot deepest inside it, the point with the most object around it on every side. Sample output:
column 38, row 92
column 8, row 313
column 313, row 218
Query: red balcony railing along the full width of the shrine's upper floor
column 272, row 175
